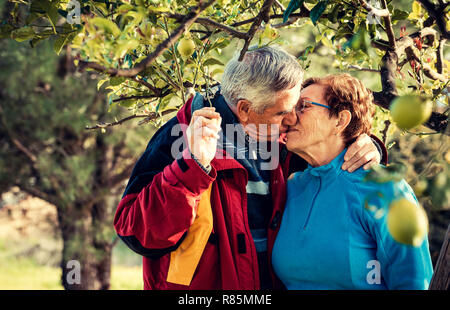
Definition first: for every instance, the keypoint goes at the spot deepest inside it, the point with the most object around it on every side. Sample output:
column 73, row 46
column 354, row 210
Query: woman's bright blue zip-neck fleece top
column 329, row 239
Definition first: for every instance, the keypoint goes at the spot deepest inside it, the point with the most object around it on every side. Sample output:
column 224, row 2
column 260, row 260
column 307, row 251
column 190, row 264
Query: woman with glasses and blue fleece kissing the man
column 327, row 238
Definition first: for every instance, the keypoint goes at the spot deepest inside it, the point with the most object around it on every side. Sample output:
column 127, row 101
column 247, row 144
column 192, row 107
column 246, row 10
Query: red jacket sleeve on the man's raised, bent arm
column 158, row 216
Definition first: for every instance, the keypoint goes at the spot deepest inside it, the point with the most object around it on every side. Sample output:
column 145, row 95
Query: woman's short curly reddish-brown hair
column 344, row 92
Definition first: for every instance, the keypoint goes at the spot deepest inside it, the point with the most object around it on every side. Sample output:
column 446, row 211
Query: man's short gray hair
column 259, row 76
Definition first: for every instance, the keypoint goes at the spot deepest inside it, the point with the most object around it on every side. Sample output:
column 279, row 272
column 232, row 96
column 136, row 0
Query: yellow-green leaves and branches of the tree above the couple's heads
column 134, row 42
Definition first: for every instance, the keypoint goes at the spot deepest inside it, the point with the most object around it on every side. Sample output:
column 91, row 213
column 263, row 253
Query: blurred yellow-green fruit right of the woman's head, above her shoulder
column 409, row 111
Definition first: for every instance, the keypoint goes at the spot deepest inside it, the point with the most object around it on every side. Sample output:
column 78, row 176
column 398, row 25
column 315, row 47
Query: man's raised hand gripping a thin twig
column 202, row 134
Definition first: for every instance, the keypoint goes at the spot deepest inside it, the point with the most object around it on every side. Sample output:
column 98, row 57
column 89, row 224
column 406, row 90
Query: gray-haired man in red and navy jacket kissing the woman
column 203, row 213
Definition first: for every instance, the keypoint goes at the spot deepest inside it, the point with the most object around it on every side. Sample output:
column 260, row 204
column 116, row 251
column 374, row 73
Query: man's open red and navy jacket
column 160, row 204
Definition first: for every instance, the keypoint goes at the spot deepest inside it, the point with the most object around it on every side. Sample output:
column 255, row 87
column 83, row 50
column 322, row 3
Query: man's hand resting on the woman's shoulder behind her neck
column 362, row 152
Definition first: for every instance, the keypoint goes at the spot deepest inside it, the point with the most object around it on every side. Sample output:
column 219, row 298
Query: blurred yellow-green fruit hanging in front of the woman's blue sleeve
column 407, row 222
